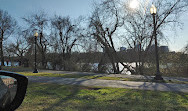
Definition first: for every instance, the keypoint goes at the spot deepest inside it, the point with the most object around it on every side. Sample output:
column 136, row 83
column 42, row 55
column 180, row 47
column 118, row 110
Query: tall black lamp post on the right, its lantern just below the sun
column 153, row 11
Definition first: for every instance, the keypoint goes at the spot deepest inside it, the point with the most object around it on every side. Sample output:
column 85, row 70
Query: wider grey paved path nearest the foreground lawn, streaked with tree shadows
column 112, row 83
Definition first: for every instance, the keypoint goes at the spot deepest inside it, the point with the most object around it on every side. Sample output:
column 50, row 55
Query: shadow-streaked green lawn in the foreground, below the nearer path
column 53, row 97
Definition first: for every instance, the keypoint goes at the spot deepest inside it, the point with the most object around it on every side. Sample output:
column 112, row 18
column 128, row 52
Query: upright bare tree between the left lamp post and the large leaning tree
column 67, row 35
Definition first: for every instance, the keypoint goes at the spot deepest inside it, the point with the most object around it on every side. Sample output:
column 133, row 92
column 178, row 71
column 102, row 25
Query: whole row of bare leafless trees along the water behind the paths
column 63, row 41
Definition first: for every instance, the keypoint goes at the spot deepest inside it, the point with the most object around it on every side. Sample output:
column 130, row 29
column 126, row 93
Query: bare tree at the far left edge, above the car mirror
column 7, row 26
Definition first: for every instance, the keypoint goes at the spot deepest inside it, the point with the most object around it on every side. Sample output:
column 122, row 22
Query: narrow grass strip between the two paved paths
column 86, row 76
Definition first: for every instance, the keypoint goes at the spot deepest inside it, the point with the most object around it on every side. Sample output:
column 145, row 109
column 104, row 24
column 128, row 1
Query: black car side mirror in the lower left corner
column 12, row 90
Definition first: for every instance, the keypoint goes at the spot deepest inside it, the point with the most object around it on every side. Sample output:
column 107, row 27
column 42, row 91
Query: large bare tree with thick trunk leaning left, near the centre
column 104, row 23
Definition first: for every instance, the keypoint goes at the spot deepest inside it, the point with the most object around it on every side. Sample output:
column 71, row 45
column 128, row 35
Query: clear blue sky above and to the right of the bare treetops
column 75, row 8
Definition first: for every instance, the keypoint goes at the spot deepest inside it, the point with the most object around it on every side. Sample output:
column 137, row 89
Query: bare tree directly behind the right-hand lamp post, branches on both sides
column 139, row 30
